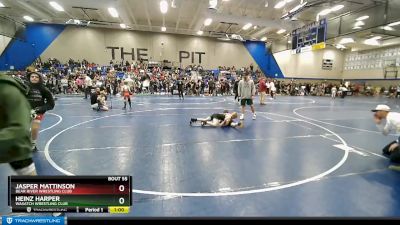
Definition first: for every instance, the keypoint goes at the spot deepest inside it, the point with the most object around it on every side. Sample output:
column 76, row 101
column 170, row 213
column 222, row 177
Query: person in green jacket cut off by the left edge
column 15, row 122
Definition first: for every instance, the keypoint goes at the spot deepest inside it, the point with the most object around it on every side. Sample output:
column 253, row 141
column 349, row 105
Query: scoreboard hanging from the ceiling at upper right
column 310, row 37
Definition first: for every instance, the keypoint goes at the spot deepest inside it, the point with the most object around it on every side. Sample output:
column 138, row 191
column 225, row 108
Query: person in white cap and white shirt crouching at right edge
column 392, row 150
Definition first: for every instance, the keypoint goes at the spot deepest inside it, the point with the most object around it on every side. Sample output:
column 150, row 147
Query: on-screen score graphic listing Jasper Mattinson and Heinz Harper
column 78, row 194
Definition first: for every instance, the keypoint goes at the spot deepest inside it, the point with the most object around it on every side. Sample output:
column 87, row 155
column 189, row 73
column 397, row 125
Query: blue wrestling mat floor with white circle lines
column 303, row 156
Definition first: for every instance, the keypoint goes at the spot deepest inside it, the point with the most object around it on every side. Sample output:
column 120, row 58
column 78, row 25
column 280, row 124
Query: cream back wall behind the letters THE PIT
column 90, row 43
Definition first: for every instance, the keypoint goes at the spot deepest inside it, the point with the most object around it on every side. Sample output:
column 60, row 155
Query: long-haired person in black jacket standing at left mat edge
column 41, row 101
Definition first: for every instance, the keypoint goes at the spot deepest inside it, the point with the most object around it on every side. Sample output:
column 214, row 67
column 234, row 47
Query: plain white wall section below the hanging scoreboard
column 309, row 64
